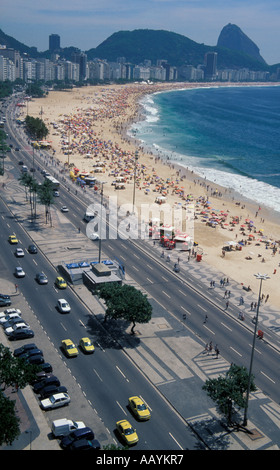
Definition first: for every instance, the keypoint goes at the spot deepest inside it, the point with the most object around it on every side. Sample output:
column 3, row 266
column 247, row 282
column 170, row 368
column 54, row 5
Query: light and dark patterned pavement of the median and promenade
column 168, row 354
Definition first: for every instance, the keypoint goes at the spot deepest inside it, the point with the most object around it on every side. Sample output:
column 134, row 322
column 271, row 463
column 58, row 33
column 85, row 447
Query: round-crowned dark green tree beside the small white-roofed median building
column 126, row 302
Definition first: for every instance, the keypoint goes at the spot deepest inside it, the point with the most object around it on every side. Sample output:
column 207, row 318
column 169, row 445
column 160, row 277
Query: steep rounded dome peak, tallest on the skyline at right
column 231, row 37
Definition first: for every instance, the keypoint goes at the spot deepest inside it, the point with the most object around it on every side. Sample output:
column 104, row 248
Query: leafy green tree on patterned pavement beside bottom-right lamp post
column 230, row 391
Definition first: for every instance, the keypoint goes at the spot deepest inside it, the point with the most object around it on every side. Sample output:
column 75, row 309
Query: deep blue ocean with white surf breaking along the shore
column 229, row 135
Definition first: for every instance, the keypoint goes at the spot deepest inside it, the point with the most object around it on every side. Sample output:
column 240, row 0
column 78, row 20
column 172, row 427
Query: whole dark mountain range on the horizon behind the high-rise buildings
column 146, row 44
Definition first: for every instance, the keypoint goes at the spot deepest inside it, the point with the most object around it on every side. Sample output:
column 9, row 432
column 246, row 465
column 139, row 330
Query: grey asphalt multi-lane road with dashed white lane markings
column 112, row 377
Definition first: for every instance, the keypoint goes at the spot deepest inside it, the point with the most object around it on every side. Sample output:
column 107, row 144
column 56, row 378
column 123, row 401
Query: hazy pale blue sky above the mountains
column 86, row 23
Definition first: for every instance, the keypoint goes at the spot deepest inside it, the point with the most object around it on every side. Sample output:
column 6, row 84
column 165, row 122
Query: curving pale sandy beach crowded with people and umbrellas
column 87, row 129
